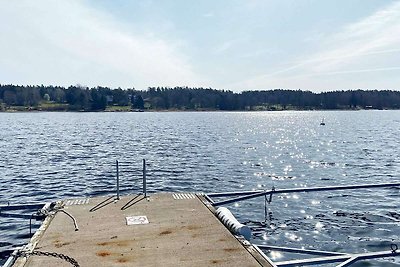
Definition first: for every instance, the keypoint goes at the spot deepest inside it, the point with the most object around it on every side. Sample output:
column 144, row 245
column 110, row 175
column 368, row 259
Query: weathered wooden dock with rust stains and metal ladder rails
column 170, row 230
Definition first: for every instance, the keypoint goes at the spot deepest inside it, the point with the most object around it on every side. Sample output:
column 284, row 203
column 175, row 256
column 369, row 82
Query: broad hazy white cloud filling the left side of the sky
column 66, row 42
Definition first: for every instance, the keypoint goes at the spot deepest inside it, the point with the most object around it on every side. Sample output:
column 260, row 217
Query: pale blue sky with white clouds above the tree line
column 233, row 45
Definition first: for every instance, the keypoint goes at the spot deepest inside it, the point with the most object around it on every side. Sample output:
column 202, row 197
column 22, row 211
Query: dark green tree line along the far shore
column 80, row 98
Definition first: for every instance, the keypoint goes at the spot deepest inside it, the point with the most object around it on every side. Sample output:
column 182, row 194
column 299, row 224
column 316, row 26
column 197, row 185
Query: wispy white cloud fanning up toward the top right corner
column 368, row 46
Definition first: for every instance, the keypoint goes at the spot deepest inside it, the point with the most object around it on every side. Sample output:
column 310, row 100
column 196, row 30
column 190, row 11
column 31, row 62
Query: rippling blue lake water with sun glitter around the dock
column 49, row 156
